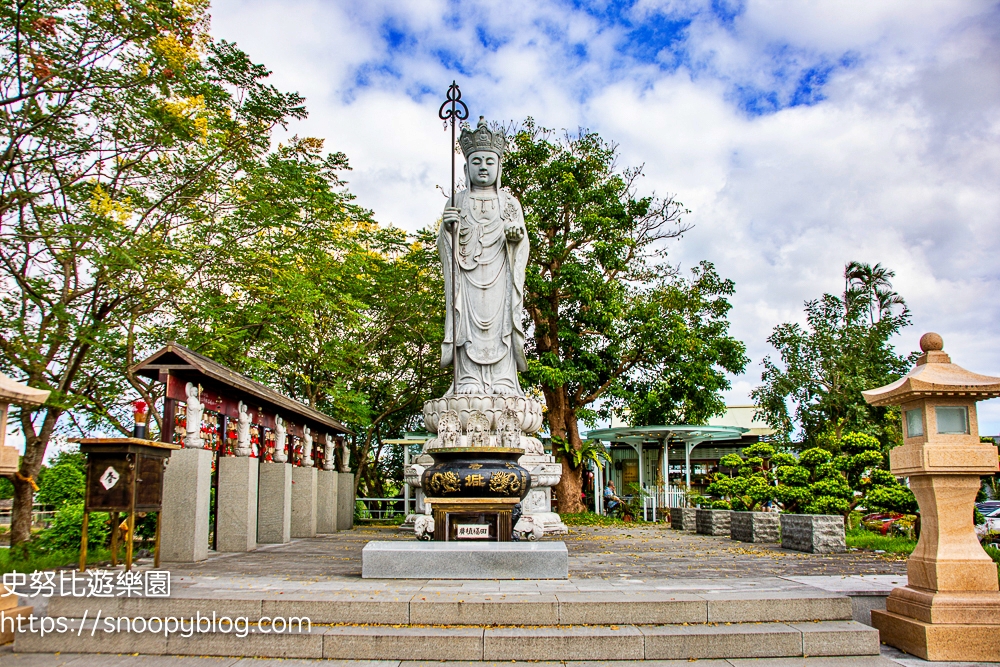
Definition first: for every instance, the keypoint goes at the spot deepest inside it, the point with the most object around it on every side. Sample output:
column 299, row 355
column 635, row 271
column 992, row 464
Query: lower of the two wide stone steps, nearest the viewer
column 478, row 643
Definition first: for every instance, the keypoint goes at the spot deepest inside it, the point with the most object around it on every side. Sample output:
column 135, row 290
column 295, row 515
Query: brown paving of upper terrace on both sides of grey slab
column 594, row 552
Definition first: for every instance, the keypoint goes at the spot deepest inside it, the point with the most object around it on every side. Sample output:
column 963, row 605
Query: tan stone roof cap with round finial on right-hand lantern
column 935, row 375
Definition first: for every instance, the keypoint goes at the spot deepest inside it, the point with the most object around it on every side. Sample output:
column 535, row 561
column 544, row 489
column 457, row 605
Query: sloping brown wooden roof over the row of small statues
column 191, row 366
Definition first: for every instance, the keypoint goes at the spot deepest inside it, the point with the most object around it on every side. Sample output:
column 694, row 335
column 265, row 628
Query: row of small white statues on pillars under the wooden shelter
column 192, row 436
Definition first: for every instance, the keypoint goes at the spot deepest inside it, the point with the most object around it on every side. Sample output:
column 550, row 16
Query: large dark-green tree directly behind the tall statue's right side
column 611, row 325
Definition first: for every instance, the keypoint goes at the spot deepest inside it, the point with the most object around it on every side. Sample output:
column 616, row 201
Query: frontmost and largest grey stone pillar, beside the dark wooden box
column 187, row 491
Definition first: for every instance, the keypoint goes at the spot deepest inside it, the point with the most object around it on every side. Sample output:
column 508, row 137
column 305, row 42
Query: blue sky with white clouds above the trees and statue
column 801, row 135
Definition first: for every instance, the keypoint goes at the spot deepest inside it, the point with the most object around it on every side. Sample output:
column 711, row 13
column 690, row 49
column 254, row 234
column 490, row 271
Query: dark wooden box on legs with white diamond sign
column 123, row 475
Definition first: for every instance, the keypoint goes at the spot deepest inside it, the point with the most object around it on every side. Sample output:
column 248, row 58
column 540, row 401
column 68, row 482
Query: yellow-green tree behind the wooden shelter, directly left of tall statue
column 310, row 295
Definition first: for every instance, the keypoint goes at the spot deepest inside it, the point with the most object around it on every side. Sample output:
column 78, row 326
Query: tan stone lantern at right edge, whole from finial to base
column 950, row 607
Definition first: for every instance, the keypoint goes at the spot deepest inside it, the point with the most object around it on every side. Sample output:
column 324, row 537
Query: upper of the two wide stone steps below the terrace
column 454, row 608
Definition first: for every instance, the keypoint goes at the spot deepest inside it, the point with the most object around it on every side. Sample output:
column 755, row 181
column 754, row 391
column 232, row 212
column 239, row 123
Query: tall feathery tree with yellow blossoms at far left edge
column 124, row 127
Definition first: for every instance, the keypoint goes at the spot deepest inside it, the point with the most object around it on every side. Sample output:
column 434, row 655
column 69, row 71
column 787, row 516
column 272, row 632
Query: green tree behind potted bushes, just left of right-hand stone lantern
column 843, row 349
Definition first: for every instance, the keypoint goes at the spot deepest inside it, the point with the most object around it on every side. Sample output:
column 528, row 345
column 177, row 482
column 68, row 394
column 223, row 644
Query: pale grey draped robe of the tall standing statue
column 490, row 279
